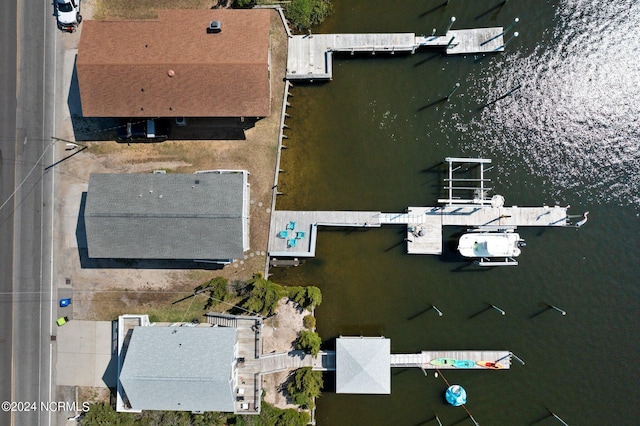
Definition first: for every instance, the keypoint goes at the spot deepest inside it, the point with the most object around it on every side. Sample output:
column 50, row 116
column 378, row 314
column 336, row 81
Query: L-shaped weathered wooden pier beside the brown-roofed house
column 310, row 57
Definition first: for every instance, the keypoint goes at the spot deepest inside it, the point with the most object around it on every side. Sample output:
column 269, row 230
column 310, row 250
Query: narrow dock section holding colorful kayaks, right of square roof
column 422, row 360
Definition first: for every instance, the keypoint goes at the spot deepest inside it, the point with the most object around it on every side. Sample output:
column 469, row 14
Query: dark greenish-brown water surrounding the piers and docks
column 369, row 140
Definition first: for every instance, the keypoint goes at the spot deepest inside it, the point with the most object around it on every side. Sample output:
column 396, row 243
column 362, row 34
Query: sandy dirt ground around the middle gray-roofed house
column 103, row 293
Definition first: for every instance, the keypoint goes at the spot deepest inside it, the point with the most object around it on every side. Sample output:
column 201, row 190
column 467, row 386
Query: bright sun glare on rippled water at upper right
column 574, row 119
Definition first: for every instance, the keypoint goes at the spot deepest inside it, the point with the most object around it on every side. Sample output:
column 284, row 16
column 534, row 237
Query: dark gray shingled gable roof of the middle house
column 167, row 216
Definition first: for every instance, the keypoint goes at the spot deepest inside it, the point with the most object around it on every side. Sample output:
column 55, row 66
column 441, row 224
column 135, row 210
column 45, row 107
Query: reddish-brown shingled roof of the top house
column 171, row 67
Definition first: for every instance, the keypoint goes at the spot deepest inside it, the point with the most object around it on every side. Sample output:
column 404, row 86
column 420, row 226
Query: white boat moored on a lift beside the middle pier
column 491, row 248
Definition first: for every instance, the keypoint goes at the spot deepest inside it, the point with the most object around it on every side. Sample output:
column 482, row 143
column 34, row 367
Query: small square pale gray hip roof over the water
column 363, row 365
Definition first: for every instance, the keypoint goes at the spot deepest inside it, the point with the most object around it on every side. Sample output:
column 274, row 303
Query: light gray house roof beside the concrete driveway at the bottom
column 180, row 368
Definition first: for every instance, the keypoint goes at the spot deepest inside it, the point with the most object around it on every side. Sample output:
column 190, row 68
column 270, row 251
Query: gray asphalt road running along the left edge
column 26, row 227
